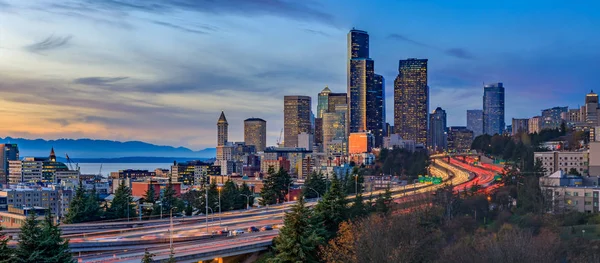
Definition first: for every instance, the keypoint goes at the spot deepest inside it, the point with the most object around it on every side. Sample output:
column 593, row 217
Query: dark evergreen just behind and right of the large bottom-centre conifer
column 332, row 209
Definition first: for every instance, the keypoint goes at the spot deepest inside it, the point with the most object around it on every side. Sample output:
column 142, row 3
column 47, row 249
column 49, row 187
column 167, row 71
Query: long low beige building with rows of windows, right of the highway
column 564, row 161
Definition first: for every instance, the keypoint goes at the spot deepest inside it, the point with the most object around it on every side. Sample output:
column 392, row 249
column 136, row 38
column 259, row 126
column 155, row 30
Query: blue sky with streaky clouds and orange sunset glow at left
column 162, row 71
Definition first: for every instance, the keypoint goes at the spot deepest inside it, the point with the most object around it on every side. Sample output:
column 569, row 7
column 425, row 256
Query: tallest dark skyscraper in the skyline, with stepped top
column 360, row 80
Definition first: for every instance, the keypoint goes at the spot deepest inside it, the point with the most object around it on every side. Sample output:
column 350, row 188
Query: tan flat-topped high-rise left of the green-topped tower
column 296, row 118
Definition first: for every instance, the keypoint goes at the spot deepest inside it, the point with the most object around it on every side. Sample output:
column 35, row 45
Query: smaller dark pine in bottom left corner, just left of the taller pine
column 28, row 249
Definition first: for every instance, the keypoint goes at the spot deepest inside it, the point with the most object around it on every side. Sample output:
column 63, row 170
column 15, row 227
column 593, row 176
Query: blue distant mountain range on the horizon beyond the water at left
column 88, row 148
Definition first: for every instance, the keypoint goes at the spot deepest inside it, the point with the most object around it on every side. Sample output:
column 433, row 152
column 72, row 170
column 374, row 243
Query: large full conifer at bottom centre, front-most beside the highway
column 298, row 241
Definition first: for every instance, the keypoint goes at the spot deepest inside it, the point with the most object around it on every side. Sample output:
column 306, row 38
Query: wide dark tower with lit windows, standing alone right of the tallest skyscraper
column 411, row 100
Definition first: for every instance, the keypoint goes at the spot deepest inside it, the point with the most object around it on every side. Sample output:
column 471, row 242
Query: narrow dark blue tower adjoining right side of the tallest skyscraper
column 376, row 110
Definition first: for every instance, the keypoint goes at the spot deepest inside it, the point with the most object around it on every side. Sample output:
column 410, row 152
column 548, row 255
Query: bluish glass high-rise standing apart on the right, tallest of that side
column 493, row 109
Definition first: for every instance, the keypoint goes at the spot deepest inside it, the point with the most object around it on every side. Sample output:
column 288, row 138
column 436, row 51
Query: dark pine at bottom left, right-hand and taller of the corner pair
column 53, row 248
